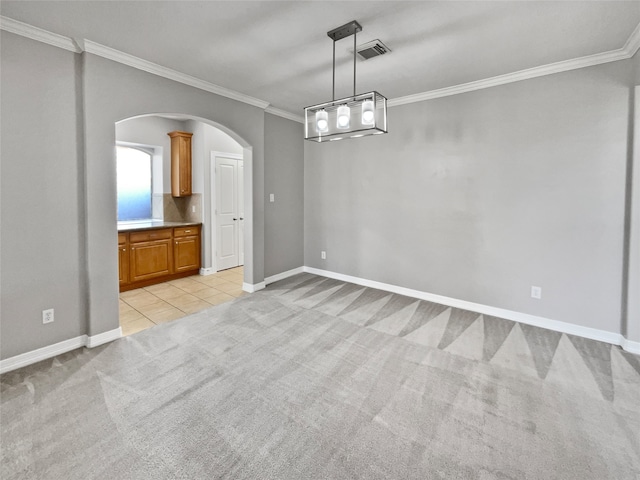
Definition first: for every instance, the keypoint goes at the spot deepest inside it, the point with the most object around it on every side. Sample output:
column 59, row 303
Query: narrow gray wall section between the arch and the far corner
column 284, row 177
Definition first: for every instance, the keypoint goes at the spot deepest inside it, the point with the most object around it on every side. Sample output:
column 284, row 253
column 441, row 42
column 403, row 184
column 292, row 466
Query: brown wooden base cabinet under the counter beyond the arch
column 154, row 256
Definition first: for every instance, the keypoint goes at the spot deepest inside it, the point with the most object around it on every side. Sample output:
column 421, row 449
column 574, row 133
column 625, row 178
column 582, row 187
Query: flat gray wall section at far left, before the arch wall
column 42, row 237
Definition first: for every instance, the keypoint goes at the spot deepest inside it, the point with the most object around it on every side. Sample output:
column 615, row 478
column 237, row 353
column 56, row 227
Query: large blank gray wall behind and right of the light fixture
column 480, row 196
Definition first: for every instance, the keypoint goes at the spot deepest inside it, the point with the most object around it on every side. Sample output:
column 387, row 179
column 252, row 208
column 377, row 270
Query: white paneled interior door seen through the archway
column 229, row 212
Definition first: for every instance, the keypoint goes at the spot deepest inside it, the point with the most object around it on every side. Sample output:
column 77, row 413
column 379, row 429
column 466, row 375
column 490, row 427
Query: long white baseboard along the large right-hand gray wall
column 556, row 325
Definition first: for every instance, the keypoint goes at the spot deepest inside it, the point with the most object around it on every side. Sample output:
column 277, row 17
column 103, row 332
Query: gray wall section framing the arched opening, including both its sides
column 112, row 92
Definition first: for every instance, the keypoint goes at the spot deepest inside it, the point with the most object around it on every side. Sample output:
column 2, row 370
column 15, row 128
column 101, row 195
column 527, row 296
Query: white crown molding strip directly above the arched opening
column 150, row 67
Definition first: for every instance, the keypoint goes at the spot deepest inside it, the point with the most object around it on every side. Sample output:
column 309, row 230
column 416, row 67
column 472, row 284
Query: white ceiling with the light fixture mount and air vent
column 279, row 51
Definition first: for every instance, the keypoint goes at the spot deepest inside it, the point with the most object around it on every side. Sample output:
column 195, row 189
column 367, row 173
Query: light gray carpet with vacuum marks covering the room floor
column 314, row 378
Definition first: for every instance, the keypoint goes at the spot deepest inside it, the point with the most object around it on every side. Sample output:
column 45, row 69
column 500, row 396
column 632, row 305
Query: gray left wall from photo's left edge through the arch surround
column 58, row 199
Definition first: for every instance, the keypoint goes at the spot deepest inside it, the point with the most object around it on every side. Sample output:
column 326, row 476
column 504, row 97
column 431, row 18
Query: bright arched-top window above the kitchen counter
column 134, row 167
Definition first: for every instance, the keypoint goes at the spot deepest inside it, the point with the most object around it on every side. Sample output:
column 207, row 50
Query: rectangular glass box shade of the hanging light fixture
column 366, row 114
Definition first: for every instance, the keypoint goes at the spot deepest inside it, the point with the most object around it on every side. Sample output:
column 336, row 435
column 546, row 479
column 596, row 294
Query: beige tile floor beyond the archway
column 145, row 307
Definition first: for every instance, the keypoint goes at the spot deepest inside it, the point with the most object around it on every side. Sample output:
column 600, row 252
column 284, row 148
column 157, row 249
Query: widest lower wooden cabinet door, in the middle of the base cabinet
column 150, row 259
